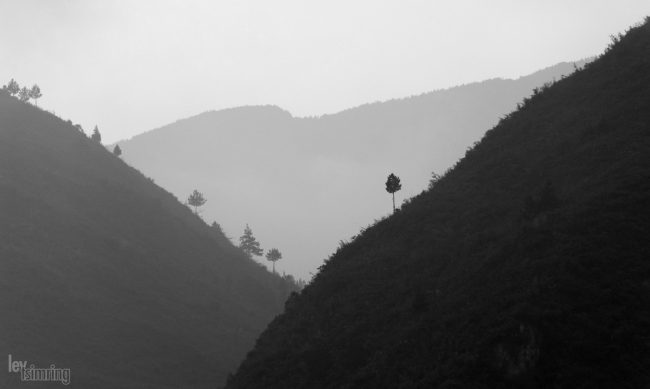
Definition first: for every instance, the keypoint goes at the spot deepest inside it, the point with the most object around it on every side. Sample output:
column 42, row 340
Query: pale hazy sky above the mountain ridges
column 130, row 66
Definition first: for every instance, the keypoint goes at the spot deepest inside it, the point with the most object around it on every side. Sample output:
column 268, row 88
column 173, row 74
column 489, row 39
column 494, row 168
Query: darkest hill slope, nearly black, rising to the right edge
column 527, row 265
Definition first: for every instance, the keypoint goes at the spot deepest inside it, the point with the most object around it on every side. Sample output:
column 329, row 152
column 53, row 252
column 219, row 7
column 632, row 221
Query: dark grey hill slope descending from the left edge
column 105, row 273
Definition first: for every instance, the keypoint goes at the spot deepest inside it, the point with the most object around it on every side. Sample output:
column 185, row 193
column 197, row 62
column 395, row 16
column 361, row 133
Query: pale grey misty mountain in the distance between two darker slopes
column 304, row 184
